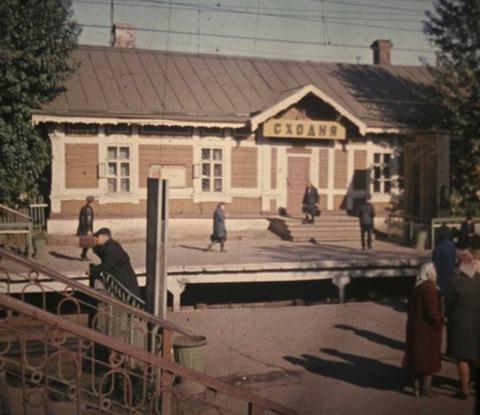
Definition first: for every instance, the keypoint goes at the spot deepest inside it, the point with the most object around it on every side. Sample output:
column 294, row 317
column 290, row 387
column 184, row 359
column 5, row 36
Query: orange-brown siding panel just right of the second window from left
column 244, row 167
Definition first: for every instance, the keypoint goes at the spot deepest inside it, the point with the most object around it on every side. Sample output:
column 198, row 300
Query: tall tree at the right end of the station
column 454, row 28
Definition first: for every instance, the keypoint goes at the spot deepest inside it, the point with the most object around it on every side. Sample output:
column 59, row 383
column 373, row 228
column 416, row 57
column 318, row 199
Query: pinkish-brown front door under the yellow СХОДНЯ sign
column 298, row 177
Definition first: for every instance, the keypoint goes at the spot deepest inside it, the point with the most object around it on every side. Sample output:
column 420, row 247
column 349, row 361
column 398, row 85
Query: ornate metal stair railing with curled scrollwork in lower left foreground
column 61, row 352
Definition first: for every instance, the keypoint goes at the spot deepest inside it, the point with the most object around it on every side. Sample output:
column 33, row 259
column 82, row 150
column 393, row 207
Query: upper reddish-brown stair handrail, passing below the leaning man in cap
column 98, row 295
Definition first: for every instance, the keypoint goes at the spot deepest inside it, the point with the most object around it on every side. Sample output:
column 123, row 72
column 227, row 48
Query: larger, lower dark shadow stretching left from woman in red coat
column 362, row 371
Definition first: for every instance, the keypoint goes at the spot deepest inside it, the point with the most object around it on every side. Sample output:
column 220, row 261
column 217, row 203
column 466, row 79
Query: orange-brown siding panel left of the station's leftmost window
column 81, row 161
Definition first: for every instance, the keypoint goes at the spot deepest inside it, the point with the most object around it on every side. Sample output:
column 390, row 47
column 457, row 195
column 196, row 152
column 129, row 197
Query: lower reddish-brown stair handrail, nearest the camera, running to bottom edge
column 256, row 403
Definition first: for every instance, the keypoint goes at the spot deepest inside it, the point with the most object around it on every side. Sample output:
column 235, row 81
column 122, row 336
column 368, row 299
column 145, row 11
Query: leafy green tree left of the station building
column 36, row 39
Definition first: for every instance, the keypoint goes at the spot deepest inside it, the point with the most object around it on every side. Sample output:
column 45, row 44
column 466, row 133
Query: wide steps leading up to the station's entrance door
column 327, row 228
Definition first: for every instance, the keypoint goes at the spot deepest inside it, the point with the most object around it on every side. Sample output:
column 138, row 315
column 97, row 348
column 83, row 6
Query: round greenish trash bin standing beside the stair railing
column 188, row 351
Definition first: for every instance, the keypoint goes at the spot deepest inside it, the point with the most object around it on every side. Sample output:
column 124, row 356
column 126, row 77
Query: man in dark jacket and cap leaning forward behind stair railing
column 115, row 261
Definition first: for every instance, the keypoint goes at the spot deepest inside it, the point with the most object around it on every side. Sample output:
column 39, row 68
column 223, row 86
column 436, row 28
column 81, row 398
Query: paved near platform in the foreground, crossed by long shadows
column 327, row 359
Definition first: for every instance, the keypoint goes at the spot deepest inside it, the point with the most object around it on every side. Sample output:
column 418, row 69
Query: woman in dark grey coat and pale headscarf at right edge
column 462, row 306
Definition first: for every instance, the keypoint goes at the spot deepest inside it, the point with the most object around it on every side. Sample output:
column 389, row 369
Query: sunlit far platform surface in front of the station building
column 262, row 247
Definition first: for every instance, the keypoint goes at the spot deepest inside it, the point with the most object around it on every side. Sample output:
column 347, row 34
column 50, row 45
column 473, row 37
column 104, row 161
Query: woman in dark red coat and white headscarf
column 424, row 331
